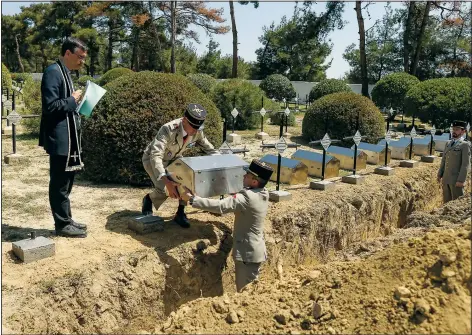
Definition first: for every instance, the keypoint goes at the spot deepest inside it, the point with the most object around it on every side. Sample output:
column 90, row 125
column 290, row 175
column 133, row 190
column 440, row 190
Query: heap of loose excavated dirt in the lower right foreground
column 419, row 286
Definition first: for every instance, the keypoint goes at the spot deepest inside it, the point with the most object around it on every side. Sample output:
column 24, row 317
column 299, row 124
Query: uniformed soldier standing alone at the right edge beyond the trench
column 455, row 163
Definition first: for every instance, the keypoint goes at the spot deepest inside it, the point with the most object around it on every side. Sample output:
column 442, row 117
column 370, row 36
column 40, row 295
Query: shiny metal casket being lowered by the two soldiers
column 209, row 176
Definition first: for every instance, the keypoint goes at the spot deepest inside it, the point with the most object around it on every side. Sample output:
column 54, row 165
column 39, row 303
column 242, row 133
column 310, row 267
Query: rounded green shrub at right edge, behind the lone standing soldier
column 440, row 101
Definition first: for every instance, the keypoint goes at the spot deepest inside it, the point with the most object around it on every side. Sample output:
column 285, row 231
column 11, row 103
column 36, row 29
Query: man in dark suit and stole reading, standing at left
column 60, row 133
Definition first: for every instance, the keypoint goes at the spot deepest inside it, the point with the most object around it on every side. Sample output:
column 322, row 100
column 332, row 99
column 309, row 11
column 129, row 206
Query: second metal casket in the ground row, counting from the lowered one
column 314, row 160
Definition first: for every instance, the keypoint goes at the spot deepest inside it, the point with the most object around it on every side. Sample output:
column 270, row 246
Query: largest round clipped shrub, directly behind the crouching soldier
column 129, row 116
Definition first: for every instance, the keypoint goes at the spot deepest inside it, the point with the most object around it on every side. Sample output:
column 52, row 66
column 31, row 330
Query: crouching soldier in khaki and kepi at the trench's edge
column 169, row 144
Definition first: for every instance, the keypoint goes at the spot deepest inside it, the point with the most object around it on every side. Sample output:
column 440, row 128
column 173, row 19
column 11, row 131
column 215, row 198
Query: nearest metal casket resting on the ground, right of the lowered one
column 291, row 171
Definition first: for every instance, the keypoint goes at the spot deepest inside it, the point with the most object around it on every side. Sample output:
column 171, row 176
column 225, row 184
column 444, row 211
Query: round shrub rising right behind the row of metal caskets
column 339, row 111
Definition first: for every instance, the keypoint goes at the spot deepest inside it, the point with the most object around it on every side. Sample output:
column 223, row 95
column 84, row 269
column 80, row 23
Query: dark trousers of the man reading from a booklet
column 60, row 186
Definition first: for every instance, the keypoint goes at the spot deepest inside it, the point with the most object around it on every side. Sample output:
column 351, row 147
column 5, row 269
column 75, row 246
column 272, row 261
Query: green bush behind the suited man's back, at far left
column 32, row 100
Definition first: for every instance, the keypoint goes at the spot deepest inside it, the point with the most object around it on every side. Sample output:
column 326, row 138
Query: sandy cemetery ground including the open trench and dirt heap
column 381, row 257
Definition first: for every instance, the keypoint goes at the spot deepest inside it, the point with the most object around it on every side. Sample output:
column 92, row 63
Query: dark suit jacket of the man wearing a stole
column 57, row 103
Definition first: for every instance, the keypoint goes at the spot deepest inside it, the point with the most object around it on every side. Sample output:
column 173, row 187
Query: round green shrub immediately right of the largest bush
column 246, row 97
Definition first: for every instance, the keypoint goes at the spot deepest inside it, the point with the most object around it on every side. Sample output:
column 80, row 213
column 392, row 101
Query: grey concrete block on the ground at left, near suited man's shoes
column 34, row 249
